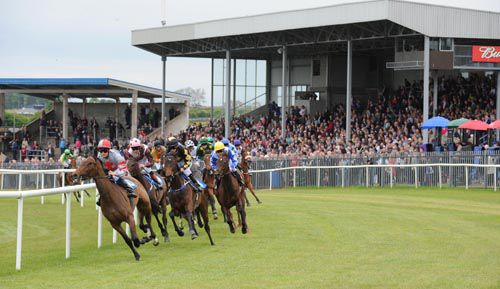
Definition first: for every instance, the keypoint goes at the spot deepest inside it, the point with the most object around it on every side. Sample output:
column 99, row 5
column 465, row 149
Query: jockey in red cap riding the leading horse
column 115, row 167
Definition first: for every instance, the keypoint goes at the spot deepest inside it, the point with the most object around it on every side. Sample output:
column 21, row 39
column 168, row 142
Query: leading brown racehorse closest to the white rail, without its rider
column 115, row 203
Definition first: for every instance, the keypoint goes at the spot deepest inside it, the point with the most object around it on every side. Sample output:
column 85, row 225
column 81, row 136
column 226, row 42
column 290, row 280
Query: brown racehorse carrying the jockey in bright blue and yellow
column 230, row 194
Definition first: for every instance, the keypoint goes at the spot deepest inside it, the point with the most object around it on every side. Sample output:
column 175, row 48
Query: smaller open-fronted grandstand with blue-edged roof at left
column 72, row 120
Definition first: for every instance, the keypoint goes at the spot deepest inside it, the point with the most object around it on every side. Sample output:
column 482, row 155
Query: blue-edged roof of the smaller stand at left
column 51, row 88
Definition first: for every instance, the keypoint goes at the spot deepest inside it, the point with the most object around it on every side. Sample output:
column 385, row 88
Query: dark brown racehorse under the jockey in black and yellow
column 183, row 200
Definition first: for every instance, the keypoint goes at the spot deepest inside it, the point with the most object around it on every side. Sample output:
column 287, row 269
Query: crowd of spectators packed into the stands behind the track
column 387, row 123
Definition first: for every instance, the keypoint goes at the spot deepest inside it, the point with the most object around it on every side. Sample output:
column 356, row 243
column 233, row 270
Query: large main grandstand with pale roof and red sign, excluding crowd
column 339, row 55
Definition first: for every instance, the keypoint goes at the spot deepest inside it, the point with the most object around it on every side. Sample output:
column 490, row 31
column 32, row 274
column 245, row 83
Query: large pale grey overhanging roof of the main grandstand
column 259, row 36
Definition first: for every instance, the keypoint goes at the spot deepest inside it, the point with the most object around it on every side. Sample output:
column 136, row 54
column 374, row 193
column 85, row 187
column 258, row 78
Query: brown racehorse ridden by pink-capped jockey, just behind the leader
column 157, row 197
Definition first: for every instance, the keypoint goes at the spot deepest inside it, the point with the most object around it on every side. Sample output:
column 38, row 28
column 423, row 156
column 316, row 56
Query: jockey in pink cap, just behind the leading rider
column 141, row 153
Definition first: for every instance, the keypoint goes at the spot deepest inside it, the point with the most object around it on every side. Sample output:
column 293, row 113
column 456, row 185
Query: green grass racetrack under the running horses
column 302, row 238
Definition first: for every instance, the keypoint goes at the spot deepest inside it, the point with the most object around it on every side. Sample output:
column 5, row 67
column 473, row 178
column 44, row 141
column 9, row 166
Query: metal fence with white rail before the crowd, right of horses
column 469, row 169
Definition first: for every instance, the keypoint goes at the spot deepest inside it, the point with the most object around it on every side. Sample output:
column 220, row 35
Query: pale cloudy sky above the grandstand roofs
column 91, row 38
